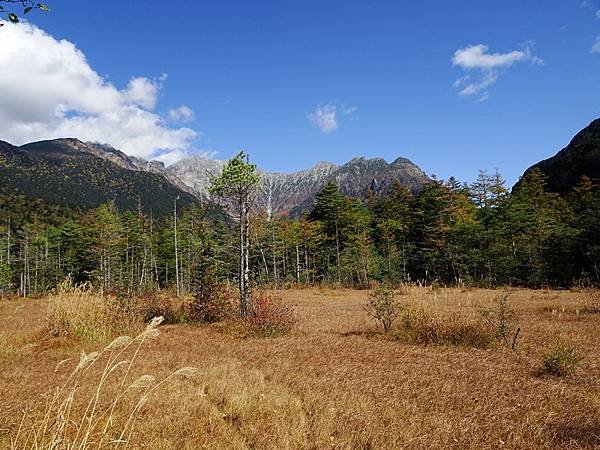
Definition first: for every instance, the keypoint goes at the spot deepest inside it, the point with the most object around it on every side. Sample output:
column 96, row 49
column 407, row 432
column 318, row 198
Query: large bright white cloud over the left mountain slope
column 49, row 90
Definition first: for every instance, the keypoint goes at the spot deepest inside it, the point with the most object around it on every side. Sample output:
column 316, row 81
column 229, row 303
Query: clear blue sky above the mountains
column 295, row 82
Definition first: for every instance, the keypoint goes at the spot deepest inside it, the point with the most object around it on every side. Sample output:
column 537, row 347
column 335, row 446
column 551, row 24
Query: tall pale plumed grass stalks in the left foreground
column 106, row 421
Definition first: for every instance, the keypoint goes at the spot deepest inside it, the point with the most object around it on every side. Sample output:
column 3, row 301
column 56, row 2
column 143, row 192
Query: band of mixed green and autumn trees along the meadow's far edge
column 447, row 233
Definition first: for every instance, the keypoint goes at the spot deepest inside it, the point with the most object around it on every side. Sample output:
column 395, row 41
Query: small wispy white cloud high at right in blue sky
column 484, row 68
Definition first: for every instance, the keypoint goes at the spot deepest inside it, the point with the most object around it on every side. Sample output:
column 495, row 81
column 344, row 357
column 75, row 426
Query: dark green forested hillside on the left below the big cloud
column 59, row 172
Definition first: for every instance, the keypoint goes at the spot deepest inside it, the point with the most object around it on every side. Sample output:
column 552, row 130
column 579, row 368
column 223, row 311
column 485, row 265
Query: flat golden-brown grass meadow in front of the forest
column 335, row 382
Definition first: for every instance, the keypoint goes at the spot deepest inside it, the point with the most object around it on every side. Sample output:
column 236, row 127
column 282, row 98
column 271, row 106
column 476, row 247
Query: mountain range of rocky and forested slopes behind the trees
column 72, row 173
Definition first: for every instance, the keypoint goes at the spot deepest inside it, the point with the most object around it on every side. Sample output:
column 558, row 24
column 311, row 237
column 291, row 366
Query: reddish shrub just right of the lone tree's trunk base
column 269, row 316
